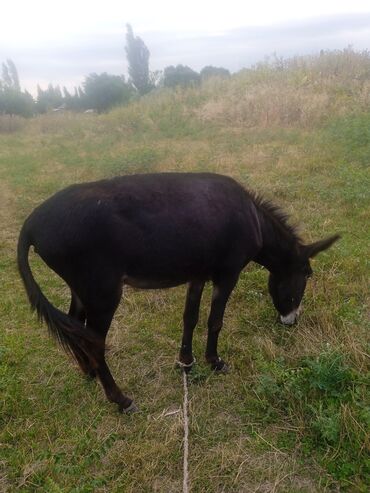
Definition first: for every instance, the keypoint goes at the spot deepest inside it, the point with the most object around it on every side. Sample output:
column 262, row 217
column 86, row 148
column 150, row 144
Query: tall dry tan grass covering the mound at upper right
column 302, row 91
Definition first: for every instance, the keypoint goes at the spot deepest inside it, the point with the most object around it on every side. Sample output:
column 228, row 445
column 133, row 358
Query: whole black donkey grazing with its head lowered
column 155, row 231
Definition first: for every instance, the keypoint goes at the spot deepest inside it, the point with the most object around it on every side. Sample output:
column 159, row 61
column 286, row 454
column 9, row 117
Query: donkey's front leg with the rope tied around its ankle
column 191, row 315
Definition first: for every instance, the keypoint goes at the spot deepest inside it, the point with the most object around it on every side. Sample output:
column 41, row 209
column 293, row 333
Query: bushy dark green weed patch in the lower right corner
column 323, row 397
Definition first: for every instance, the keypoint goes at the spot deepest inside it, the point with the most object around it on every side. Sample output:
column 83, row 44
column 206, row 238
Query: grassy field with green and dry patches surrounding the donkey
column 293, row 413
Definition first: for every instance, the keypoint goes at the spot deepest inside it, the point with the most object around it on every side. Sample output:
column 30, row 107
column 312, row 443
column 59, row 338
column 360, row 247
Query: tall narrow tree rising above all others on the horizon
column 138, row 62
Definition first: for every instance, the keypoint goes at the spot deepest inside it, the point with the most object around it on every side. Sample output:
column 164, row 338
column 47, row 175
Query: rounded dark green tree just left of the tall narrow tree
column 104, row 91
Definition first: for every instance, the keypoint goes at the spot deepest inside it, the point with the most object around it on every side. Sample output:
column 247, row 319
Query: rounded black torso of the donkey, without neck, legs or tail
column 154, row 230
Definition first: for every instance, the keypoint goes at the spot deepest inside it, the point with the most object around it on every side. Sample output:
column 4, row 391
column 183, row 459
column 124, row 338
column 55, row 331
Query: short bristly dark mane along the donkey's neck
column 279, row 219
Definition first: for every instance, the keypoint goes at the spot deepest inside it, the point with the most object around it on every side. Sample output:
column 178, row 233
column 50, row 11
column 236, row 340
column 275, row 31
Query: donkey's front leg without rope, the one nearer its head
column 221, row 293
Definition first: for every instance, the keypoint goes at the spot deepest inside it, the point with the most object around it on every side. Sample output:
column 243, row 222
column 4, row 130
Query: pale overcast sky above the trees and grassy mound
column 63, row 42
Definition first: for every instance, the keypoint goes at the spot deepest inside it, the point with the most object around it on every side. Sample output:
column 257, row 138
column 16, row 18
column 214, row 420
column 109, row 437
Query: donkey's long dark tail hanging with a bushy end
column 74, row 337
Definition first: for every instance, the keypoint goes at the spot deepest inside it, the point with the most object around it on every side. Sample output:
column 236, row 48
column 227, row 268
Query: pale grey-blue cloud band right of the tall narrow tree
column 238, row 48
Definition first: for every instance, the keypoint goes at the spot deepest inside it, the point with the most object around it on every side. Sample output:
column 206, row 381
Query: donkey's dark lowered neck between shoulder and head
column 280, row 242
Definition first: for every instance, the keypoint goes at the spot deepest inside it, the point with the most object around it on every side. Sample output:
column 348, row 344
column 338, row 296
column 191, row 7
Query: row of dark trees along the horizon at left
column 99, row 92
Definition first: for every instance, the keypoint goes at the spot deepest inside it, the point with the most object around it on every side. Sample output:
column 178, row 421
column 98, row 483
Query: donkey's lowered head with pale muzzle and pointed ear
column 287, row 286
